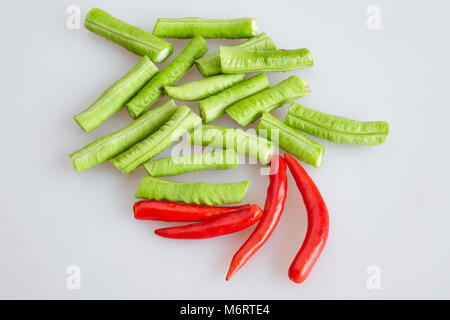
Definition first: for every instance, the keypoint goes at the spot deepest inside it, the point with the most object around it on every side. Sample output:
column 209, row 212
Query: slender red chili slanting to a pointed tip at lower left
column 276, row 195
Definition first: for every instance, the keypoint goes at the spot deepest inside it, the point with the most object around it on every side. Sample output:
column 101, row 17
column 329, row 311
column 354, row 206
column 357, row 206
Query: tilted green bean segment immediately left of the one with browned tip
column 214, row 107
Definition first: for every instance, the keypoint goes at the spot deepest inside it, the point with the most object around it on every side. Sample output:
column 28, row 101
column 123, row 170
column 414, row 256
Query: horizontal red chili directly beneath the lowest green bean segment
column 178, row 212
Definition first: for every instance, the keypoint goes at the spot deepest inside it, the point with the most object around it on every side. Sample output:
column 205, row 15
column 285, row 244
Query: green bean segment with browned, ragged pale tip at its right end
column 249, row 109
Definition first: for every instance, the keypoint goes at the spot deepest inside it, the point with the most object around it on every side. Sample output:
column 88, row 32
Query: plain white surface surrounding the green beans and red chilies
column 388, row 204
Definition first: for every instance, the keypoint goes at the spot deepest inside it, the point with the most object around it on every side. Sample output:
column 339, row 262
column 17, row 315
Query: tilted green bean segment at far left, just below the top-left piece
column 115, row 97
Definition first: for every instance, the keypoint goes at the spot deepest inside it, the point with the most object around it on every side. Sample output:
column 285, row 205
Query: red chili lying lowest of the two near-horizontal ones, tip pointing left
column 224, row 224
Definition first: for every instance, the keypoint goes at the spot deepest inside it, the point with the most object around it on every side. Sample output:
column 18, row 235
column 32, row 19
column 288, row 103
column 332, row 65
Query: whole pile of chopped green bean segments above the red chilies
column 224, row 89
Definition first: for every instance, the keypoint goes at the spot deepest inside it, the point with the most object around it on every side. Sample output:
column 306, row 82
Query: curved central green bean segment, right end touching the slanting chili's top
column 238, row 140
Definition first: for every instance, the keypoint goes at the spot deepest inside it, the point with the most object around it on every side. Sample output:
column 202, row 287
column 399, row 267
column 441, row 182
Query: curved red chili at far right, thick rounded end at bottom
column 318, row 223
